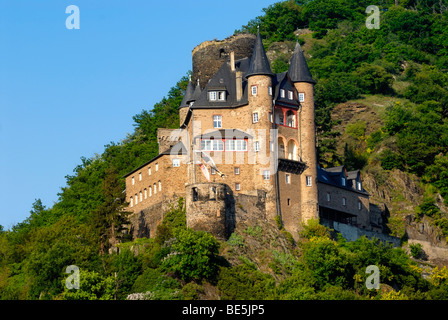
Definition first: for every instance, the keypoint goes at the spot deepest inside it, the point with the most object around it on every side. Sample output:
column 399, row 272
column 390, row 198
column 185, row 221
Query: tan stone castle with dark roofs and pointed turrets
column 245, row 149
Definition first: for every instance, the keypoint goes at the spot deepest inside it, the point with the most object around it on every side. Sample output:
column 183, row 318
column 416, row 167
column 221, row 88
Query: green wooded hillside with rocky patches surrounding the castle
column 382, row 107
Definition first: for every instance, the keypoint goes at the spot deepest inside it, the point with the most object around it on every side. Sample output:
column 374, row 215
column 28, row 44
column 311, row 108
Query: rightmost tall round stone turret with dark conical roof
column 301, row 77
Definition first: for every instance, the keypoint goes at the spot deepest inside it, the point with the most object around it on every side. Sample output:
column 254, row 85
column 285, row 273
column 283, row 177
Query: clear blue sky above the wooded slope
column 64, row 94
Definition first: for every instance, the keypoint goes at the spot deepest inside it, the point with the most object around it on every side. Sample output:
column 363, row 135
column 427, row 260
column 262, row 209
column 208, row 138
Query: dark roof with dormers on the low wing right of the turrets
column 333, row 176
